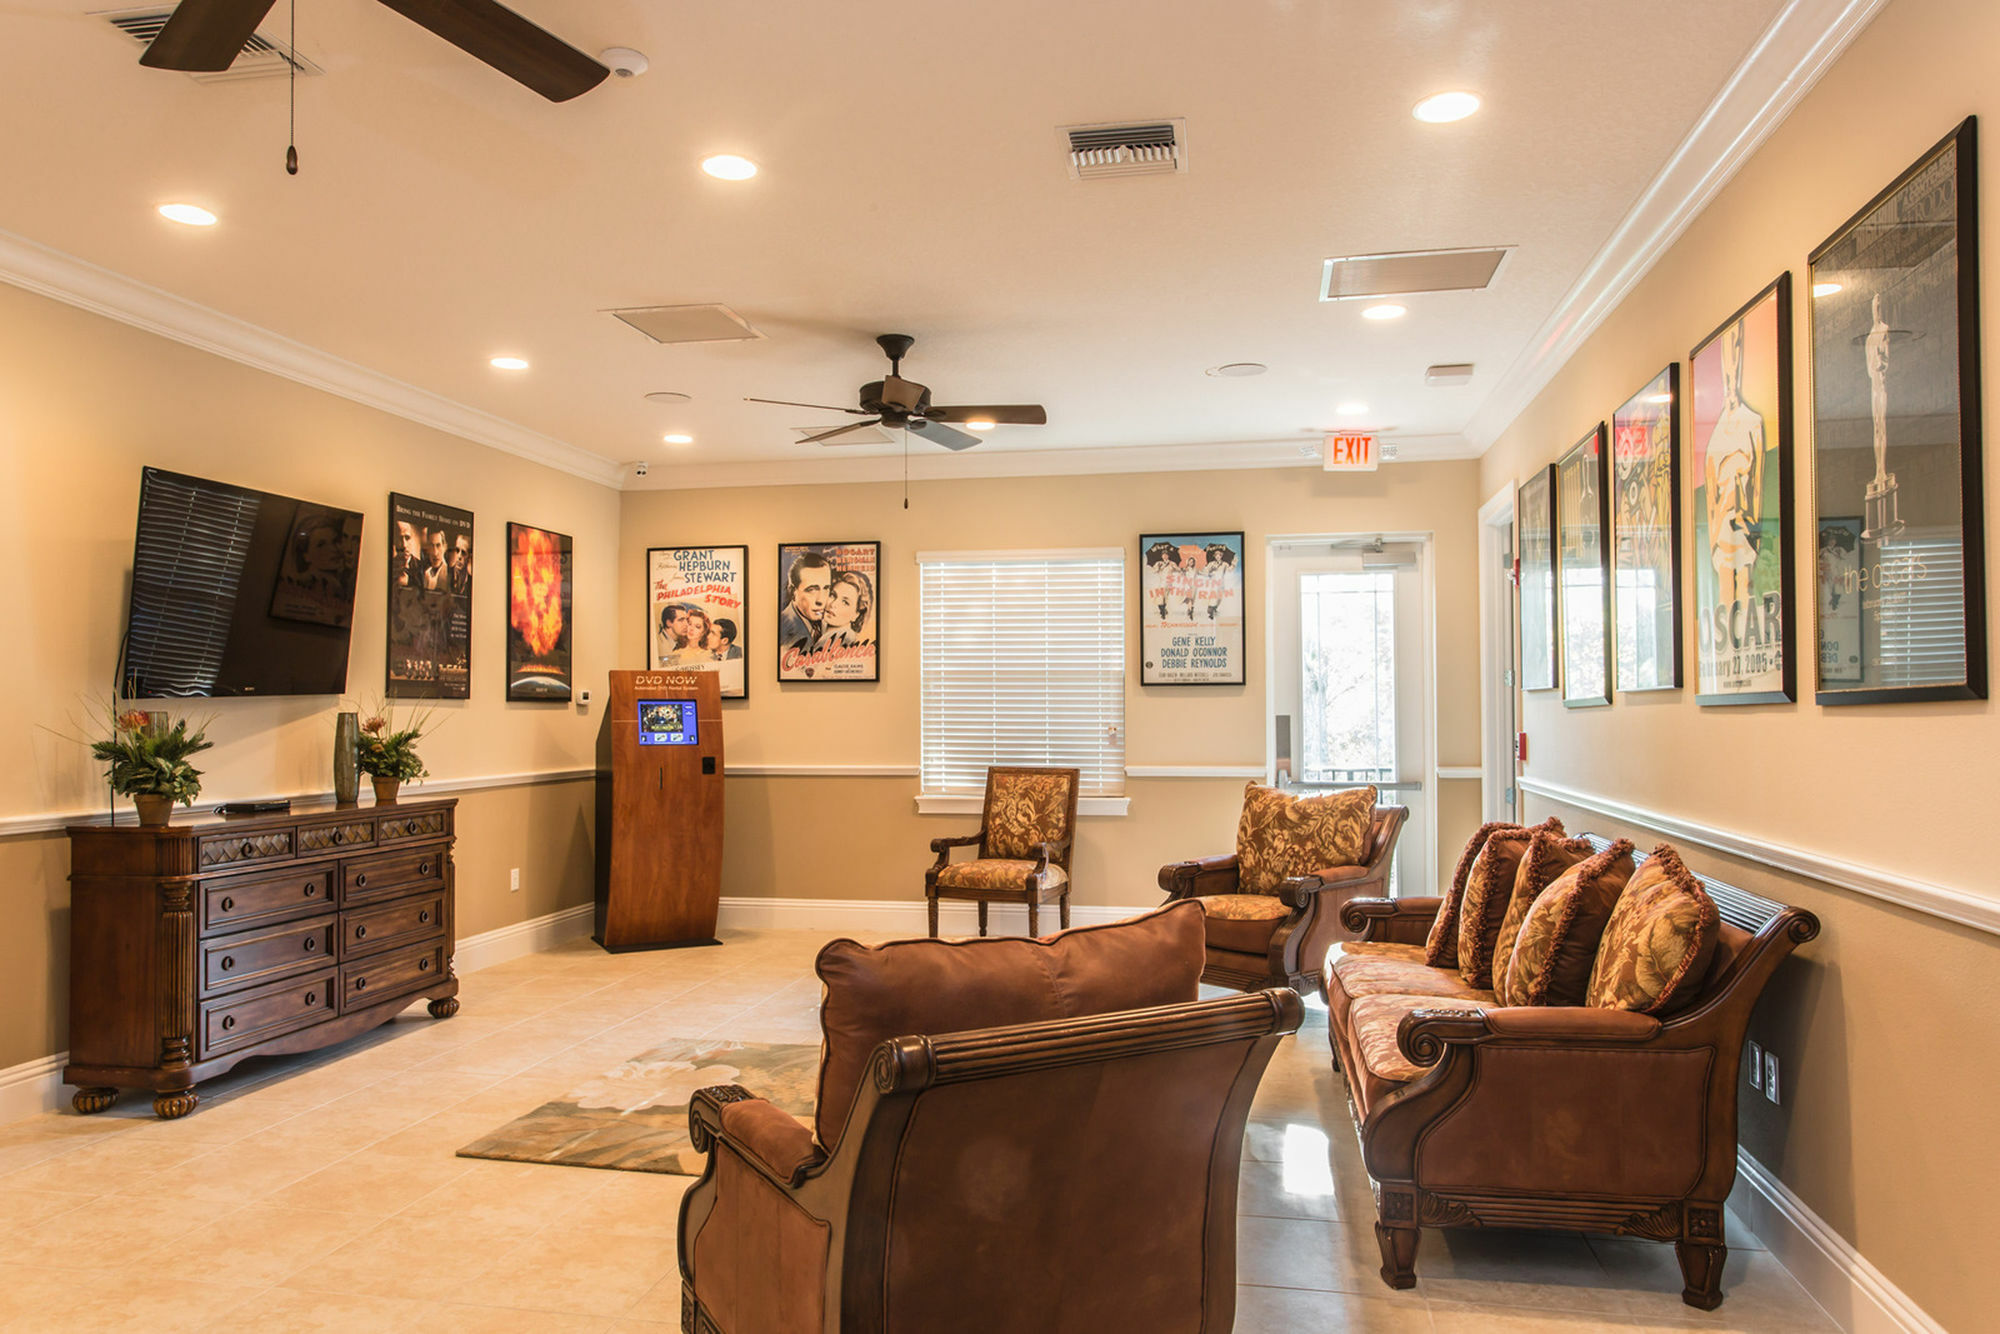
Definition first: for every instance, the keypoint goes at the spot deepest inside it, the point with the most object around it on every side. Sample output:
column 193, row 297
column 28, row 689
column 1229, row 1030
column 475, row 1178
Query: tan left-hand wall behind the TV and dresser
column 83, row 405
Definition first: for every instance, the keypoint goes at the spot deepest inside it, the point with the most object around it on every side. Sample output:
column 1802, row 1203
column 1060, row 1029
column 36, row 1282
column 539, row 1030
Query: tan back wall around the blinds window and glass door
column 861, row 837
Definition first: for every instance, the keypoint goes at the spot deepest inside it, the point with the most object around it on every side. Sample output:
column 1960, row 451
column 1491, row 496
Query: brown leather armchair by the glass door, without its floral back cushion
column 1259, row 941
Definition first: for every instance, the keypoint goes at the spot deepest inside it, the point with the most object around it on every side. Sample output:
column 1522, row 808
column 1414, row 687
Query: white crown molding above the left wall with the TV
column 83, row 285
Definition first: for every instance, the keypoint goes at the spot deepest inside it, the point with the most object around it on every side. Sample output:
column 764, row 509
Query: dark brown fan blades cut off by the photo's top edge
column 205, row 35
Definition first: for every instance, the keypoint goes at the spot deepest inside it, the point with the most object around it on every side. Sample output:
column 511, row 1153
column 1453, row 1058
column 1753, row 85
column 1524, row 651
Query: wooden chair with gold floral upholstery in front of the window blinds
column 1025, row 843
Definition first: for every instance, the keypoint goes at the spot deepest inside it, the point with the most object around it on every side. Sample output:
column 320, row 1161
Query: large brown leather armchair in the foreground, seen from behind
column 1071, row 1171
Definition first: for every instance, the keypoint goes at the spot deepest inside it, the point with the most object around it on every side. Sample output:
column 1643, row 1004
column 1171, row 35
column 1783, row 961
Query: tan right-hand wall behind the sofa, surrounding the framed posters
column 1889, row 1127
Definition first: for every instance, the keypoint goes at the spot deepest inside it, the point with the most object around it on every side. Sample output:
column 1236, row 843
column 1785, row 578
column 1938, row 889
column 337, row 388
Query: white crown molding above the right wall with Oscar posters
column 1781, row 69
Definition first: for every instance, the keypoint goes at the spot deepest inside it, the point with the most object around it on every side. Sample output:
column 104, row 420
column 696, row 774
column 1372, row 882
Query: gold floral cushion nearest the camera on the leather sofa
column 1659, row 943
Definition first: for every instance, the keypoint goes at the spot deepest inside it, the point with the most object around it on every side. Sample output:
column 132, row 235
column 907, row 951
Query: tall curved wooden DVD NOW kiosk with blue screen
column 661, row 811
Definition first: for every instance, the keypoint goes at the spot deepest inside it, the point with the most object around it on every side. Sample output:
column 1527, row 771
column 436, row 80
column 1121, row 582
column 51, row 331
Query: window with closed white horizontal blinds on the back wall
column 1023, row 663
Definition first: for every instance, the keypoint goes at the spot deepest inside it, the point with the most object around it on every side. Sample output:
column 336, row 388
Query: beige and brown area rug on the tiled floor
column 635, row 1119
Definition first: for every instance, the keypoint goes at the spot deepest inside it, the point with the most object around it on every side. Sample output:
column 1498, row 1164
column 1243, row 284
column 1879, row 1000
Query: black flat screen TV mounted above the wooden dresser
column 237, row 593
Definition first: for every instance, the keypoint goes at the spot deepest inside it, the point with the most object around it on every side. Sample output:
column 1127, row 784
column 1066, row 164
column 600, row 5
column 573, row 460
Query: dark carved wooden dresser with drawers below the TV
column 227, row 937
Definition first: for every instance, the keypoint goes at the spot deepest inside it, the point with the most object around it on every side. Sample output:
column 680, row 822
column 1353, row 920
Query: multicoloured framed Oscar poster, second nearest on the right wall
column 1773, row 539
